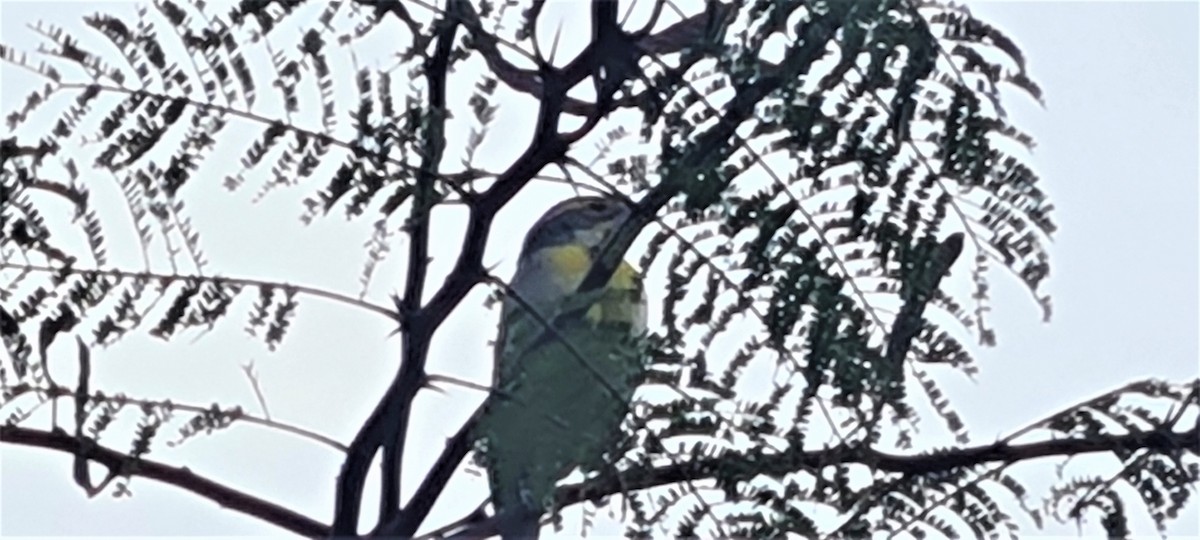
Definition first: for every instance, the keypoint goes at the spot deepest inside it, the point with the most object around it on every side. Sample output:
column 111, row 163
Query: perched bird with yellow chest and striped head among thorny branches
column 560, row 395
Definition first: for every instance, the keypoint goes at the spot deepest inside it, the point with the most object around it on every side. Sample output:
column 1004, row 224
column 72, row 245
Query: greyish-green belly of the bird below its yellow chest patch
column 555, row 413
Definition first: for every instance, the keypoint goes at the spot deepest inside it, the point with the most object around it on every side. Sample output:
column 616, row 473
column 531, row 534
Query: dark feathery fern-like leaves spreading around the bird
column 811, row 178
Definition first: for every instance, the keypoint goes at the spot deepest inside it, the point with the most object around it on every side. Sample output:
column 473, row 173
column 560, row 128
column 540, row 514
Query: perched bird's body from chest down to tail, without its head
column 559, row 406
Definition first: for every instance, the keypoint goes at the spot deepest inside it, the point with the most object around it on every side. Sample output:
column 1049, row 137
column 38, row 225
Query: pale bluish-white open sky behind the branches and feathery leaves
column 1118, row 151
